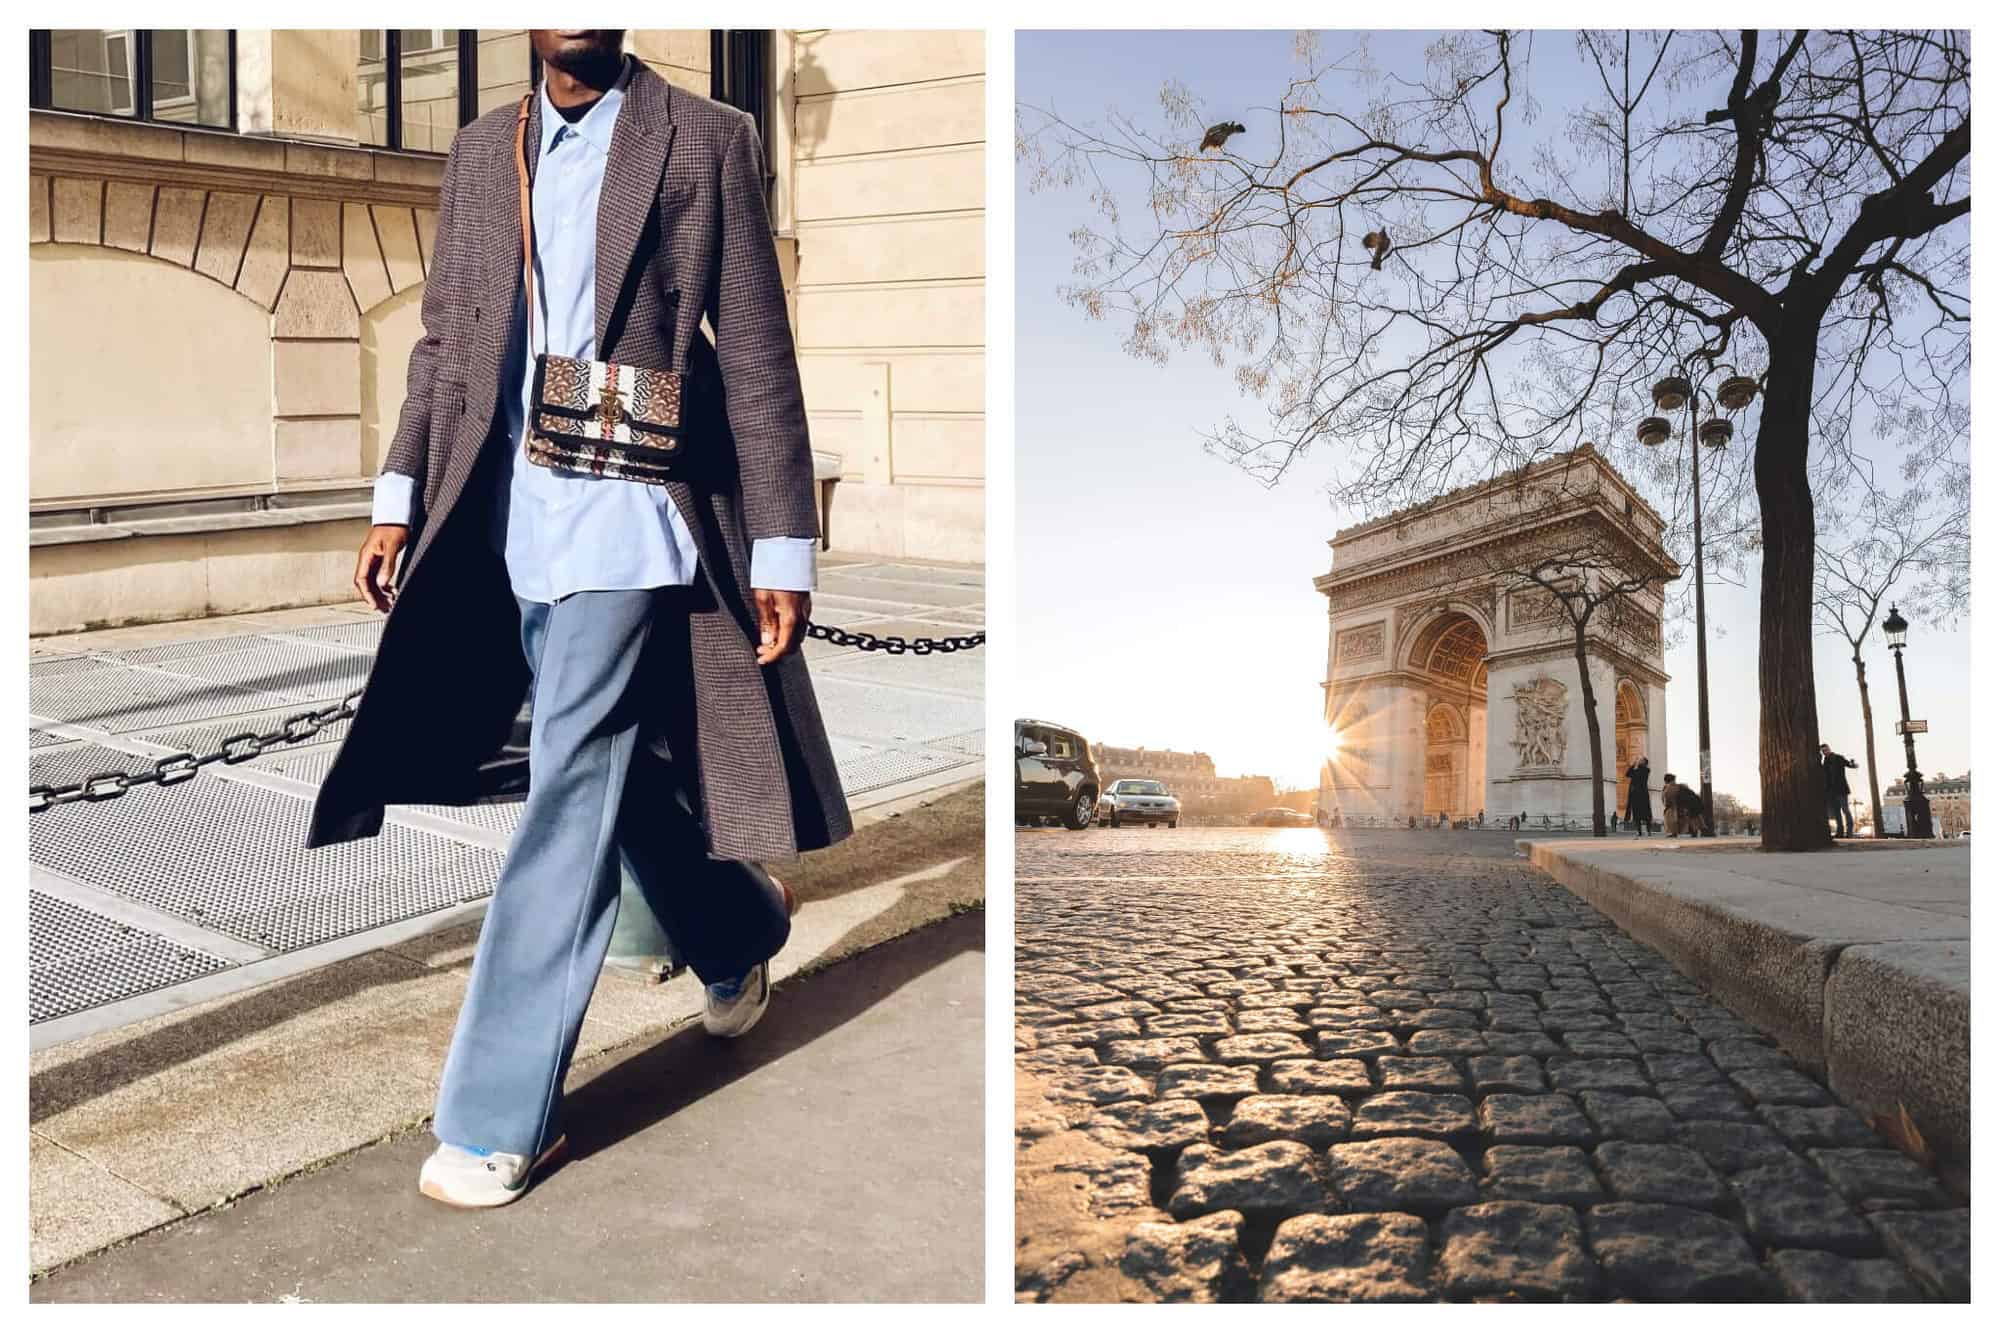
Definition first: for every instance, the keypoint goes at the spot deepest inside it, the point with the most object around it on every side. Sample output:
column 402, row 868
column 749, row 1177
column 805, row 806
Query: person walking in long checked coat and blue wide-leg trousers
column 617, row 653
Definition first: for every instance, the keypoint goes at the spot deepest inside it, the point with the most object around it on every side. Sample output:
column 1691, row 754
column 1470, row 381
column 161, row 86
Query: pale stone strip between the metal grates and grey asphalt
column 179, row 1114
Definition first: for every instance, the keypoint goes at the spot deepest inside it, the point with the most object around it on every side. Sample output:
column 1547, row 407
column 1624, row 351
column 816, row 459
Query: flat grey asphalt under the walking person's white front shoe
column 835, row 1154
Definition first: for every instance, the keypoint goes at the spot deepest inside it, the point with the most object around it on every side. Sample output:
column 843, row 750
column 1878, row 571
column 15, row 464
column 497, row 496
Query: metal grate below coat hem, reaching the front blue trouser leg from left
column 257, row 882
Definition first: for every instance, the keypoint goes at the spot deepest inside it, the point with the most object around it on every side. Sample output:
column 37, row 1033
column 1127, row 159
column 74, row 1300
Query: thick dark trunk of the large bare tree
column 1789, row 728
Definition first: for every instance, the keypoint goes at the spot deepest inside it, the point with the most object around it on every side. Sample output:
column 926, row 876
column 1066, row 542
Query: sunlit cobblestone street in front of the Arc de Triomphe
column 1291, row 1066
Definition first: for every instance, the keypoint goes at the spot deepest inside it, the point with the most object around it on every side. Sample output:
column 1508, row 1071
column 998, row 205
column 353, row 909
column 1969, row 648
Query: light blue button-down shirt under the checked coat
column 571, row 531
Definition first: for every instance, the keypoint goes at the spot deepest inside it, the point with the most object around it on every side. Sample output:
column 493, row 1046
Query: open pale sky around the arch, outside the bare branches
column 1167, row 599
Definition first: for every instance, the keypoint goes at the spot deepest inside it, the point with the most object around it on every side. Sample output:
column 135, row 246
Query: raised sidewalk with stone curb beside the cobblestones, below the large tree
column 1857, row 960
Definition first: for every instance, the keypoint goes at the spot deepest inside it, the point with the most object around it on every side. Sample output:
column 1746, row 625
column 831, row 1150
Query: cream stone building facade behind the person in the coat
column 227, row 267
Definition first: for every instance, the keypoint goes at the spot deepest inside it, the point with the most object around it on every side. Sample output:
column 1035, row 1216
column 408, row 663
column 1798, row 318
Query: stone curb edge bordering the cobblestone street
column 1859, row 1014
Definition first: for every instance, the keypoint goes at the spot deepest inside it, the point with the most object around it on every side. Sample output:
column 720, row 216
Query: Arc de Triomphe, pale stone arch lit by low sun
column 1451, row 680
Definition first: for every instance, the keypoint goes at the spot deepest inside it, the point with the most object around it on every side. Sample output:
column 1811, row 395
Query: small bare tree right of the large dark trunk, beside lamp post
column 1921, row 543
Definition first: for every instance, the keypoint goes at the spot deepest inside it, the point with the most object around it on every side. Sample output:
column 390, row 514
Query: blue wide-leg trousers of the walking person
column 607, row 668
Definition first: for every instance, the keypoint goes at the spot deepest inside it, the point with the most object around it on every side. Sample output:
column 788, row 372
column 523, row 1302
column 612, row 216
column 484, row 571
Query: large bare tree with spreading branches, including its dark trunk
column 1399, row 277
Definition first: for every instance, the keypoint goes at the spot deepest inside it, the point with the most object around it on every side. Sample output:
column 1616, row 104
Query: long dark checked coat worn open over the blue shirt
column 683, row 233
